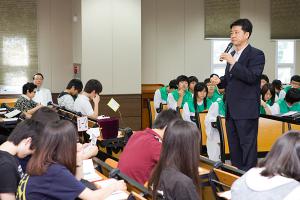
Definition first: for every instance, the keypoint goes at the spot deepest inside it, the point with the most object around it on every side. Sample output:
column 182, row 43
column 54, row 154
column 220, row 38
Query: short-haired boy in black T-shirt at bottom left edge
column 21, row 142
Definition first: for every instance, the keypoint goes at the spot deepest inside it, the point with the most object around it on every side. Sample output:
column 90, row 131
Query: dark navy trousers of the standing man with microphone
column 242, row 140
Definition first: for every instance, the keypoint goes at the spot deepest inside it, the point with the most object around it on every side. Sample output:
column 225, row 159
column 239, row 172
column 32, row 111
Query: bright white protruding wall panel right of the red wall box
column 111, row 44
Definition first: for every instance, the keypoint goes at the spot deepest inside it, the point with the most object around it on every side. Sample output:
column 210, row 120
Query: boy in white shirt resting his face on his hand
column 91, row 91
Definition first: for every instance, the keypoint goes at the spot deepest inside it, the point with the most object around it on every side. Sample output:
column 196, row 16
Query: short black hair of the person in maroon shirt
column 164, row 118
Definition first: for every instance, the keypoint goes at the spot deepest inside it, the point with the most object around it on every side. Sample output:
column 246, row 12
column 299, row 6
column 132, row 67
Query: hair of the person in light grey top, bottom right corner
column 284, row 157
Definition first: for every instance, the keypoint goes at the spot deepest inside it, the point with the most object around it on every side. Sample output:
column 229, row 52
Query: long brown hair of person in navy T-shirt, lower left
column 57, row 145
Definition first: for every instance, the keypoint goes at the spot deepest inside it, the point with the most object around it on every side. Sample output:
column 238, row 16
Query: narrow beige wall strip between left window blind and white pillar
column 54, row 19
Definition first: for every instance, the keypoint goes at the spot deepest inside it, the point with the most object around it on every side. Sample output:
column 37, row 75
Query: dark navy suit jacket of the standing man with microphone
column 242, row 84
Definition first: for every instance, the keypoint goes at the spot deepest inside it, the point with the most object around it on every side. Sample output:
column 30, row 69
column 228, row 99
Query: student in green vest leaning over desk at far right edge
column 291, row 102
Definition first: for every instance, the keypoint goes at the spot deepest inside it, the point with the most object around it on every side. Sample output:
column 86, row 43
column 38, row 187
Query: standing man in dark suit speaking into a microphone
column 242, row 88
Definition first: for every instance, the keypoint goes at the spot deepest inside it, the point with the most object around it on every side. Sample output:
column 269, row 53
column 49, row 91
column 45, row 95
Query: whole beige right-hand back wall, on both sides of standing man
column 173, row 38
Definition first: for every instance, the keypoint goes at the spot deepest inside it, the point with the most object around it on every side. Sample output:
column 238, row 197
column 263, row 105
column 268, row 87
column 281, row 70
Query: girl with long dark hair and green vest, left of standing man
column 199, row 103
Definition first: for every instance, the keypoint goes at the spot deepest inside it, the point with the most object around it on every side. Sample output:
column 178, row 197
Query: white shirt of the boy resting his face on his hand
column 82, row 104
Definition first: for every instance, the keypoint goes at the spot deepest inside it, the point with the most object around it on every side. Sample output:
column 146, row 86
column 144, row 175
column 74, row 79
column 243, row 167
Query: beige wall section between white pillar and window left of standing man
column 172, row 40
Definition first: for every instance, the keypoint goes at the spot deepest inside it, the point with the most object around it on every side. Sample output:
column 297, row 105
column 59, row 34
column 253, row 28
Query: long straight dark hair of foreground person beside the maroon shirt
column 180, row 150
